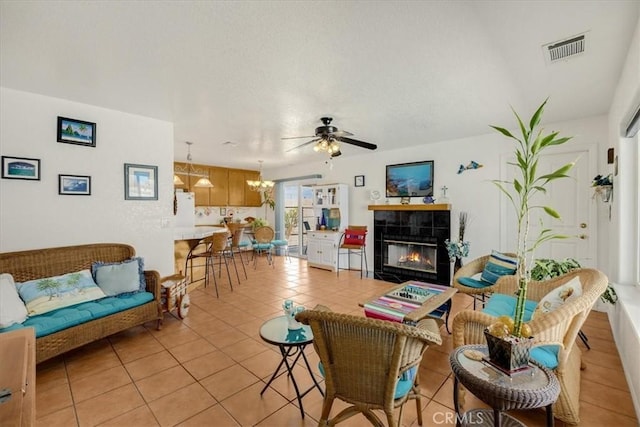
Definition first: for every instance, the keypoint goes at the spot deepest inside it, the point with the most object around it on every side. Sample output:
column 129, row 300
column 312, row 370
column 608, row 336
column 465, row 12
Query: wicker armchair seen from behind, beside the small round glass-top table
column 364, row 358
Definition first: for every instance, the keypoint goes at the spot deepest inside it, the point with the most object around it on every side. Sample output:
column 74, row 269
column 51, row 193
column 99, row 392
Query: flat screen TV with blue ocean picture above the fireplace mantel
column 410, row 179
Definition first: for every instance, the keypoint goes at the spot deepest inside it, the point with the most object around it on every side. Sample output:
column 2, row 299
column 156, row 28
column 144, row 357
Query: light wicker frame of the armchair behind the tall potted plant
column 559, row 327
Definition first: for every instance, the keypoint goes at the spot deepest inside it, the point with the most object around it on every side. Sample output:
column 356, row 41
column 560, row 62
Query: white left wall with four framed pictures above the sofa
column 33, row 215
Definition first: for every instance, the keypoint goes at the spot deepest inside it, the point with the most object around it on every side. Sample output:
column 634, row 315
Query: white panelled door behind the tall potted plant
column 572, row 199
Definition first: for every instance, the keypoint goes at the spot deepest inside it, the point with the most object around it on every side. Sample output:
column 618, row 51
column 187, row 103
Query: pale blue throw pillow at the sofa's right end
column 120, row 277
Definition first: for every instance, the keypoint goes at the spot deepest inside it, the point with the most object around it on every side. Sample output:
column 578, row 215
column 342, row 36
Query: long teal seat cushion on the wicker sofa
column 63, row 318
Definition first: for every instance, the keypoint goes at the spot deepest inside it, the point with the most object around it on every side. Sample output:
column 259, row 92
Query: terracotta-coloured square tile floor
column 208, row 369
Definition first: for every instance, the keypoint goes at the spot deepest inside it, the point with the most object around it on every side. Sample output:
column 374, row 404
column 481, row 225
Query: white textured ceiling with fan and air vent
column 393, row 73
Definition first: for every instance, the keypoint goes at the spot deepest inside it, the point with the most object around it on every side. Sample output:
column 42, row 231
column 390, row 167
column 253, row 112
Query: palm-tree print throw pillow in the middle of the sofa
column 51, row 293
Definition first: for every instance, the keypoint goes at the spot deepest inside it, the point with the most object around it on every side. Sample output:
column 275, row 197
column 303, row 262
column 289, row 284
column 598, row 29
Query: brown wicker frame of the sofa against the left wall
column 42, row 263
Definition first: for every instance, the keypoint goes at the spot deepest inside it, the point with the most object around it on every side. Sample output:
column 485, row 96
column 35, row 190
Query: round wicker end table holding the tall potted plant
column 535, row 387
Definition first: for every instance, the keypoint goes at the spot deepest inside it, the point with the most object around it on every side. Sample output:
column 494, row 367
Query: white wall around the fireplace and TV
column 471, row 191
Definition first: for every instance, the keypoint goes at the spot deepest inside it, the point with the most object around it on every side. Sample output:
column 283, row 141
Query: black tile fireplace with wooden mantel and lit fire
column 409, row 243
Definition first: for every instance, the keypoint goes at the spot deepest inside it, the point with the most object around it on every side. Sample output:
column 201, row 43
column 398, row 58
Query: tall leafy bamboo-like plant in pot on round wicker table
column 530, row 144
